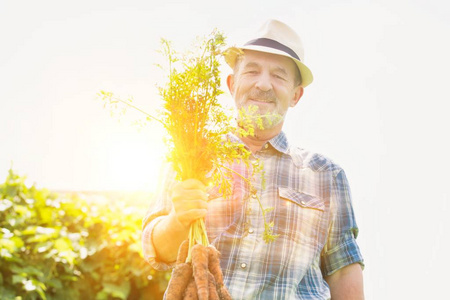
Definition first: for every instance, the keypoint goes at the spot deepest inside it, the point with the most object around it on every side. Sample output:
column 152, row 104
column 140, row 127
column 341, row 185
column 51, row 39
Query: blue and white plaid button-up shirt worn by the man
column 312, row 215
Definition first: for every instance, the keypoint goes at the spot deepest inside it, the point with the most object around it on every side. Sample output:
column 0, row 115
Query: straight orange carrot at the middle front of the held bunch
column 200, row 270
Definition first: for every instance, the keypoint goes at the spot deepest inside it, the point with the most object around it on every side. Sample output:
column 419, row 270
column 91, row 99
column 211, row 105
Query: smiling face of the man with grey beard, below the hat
column 266, row 81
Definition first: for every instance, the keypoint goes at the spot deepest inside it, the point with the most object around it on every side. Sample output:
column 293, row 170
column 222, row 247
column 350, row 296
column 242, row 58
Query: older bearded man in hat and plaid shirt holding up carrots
column 315, row 255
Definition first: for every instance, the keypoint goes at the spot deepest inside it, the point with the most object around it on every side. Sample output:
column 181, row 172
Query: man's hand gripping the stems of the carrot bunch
column 189, row 200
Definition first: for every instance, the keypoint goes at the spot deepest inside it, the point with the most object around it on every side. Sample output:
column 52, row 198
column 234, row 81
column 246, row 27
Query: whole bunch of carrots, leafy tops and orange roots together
column 196, row 125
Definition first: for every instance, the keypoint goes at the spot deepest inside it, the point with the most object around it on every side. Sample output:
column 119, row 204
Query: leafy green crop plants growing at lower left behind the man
column 54, row 247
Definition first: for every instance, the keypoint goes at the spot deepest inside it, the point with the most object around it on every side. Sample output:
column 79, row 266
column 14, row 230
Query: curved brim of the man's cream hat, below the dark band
column 232, row 53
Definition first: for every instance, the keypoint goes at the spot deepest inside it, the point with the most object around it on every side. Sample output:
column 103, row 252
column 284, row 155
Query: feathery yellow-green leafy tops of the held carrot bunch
column 197, row 126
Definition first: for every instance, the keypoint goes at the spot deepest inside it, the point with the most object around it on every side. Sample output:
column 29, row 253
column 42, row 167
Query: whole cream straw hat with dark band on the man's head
column 277, row 38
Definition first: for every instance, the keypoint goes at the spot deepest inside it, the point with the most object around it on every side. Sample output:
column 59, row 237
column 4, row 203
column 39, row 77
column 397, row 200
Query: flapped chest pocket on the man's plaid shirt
column 299, row 216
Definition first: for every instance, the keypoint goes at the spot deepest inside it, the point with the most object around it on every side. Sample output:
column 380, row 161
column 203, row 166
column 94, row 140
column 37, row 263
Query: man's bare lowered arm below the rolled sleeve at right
column 346, row 283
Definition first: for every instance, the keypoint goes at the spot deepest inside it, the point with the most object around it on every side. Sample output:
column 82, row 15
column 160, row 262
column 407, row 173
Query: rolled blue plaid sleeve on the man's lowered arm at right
column 341, row 248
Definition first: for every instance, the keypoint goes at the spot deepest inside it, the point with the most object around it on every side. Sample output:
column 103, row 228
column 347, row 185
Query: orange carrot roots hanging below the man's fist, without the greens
column 199, row 278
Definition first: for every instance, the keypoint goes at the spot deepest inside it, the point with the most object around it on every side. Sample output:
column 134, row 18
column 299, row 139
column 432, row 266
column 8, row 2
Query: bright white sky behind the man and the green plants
column 377, row 107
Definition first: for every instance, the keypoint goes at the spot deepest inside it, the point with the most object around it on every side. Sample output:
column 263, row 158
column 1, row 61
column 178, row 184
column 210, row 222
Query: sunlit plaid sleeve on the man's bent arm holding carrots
column 160, row 207
